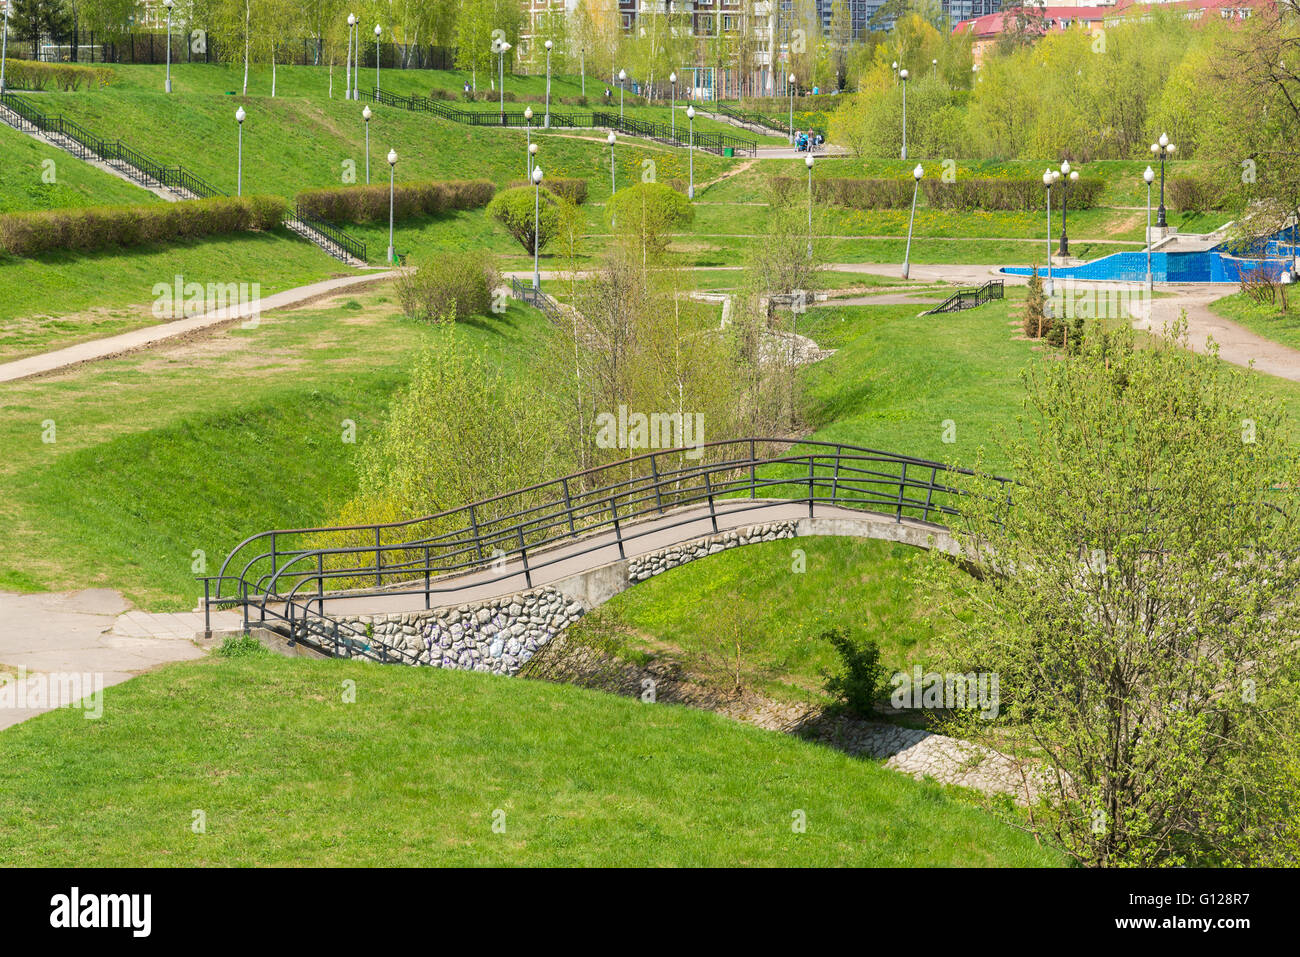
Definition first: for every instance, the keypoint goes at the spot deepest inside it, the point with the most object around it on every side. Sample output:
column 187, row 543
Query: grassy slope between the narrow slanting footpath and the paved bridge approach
column 198, row 449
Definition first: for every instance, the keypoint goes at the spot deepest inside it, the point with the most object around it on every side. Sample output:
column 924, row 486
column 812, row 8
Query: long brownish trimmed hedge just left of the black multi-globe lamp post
column 1024, row 193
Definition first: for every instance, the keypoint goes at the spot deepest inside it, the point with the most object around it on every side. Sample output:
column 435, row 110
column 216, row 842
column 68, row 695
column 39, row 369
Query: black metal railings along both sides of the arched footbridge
column 288, row 578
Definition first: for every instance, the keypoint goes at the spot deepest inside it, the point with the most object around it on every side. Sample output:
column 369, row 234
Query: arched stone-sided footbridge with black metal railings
column 487, row 584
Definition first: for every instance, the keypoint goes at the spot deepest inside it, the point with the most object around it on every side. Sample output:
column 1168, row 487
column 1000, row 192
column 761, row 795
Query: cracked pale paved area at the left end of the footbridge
column 94, row 635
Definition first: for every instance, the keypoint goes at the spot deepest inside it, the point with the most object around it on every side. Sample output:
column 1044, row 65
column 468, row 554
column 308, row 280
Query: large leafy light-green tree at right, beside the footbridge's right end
column 1138, row 597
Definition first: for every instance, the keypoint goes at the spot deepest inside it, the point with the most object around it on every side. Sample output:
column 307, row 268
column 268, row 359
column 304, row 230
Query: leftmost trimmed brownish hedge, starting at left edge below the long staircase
column 98, row 228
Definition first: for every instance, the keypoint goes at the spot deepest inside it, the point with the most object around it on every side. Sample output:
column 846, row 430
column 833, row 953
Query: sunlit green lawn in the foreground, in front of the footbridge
column 418, row 770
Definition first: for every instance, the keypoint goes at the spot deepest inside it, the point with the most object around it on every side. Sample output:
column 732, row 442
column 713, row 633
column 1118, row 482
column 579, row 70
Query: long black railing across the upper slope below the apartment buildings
column 604, row 120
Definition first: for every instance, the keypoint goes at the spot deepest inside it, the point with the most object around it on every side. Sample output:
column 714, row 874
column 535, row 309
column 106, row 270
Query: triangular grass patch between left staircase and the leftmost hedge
column 42, row 177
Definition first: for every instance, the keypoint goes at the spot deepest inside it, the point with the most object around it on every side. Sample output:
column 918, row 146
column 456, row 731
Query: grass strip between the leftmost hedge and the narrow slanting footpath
column 63, row 298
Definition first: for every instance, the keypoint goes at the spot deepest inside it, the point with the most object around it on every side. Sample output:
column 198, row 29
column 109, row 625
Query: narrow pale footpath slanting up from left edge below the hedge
column 154, row 335
